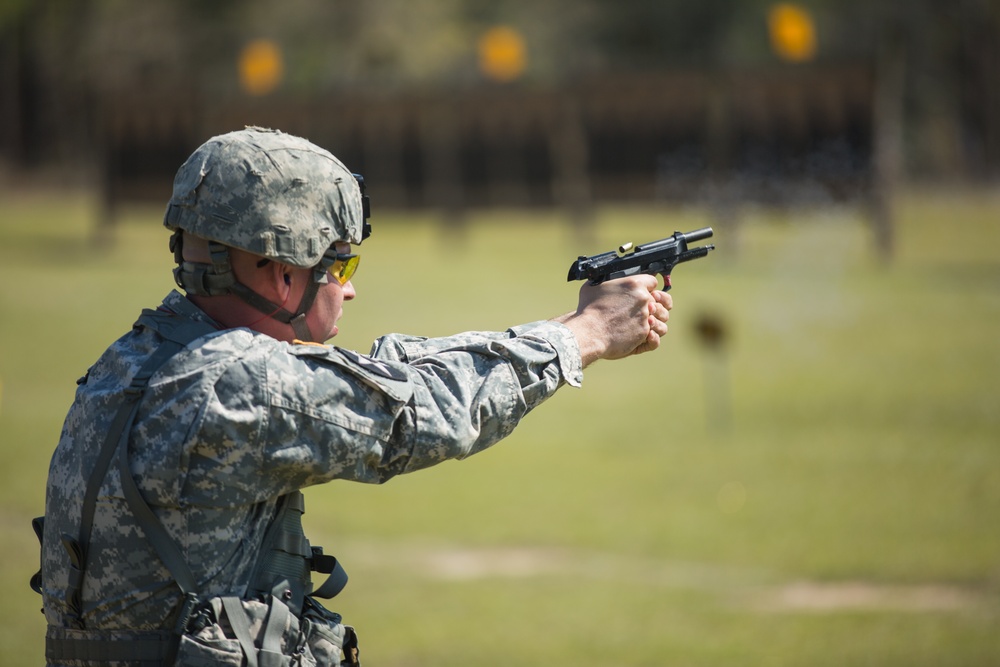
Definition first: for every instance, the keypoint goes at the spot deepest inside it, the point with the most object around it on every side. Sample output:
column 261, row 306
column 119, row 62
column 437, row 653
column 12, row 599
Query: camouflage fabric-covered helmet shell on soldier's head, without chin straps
column 269, row 193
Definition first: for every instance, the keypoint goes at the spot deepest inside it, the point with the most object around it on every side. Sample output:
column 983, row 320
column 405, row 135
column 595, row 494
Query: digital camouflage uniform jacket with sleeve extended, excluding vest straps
column 237, row 419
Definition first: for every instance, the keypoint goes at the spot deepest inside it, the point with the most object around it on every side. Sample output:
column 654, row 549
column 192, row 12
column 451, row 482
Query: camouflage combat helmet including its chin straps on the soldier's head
column 270, row 194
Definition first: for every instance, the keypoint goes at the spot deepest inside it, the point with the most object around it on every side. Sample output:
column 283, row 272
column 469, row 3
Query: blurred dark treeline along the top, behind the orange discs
column 57, row 55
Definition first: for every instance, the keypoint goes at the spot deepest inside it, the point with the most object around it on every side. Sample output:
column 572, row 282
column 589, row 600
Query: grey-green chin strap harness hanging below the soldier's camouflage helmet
column 217, row 279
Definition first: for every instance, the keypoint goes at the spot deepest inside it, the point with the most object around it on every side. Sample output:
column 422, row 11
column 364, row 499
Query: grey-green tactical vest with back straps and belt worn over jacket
column 282, row 570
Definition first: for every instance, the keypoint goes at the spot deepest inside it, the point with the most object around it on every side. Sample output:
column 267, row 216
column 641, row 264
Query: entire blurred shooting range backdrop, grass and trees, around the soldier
column 806, row 474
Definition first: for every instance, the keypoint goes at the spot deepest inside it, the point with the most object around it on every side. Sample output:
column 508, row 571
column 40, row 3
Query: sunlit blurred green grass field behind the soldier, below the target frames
column 824, row 490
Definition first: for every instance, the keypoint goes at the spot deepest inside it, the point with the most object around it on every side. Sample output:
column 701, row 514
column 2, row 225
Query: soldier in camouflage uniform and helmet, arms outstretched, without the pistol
column 172, row 532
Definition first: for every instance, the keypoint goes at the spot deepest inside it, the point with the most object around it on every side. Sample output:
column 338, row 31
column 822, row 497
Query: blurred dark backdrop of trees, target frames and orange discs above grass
column 465, row 103
